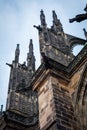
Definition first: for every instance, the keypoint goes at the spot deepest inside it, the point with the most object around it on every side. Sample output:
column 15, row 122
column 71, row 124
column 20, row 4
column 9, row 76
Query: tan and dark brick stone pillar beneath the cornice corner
column 55, row 105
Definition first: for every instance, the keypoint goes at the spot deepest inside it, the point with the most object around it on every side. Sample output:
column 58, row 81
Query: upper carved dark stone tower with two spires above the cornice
column 57, row 40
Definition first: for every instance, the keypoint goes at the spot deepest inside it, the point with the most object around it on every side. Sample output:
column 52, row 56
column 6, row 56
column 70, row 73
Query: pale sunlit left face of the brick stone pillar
column 45, row 104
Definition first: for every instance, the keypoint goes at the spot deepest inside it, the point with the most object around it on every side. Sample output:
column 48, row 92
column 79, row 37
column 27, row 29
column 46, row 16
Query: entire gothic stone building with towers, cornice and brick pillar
column 53, row 97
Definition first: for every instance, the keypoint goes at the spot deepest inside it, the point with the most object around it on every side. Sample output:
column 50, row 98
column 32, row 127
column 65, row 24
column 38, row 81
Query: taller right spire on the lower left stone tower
column 31, row 58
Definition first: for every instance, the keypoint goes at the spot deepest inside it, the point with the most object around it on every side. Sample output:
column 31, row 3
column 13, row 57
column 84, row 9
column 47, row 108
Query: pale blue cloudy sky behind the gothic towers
column 17, row 18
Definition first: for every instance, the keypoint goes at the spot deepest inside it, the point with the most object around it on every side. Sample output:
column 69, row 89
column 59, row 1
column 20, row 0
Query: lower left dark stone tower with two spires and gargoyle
column 21, row 108
